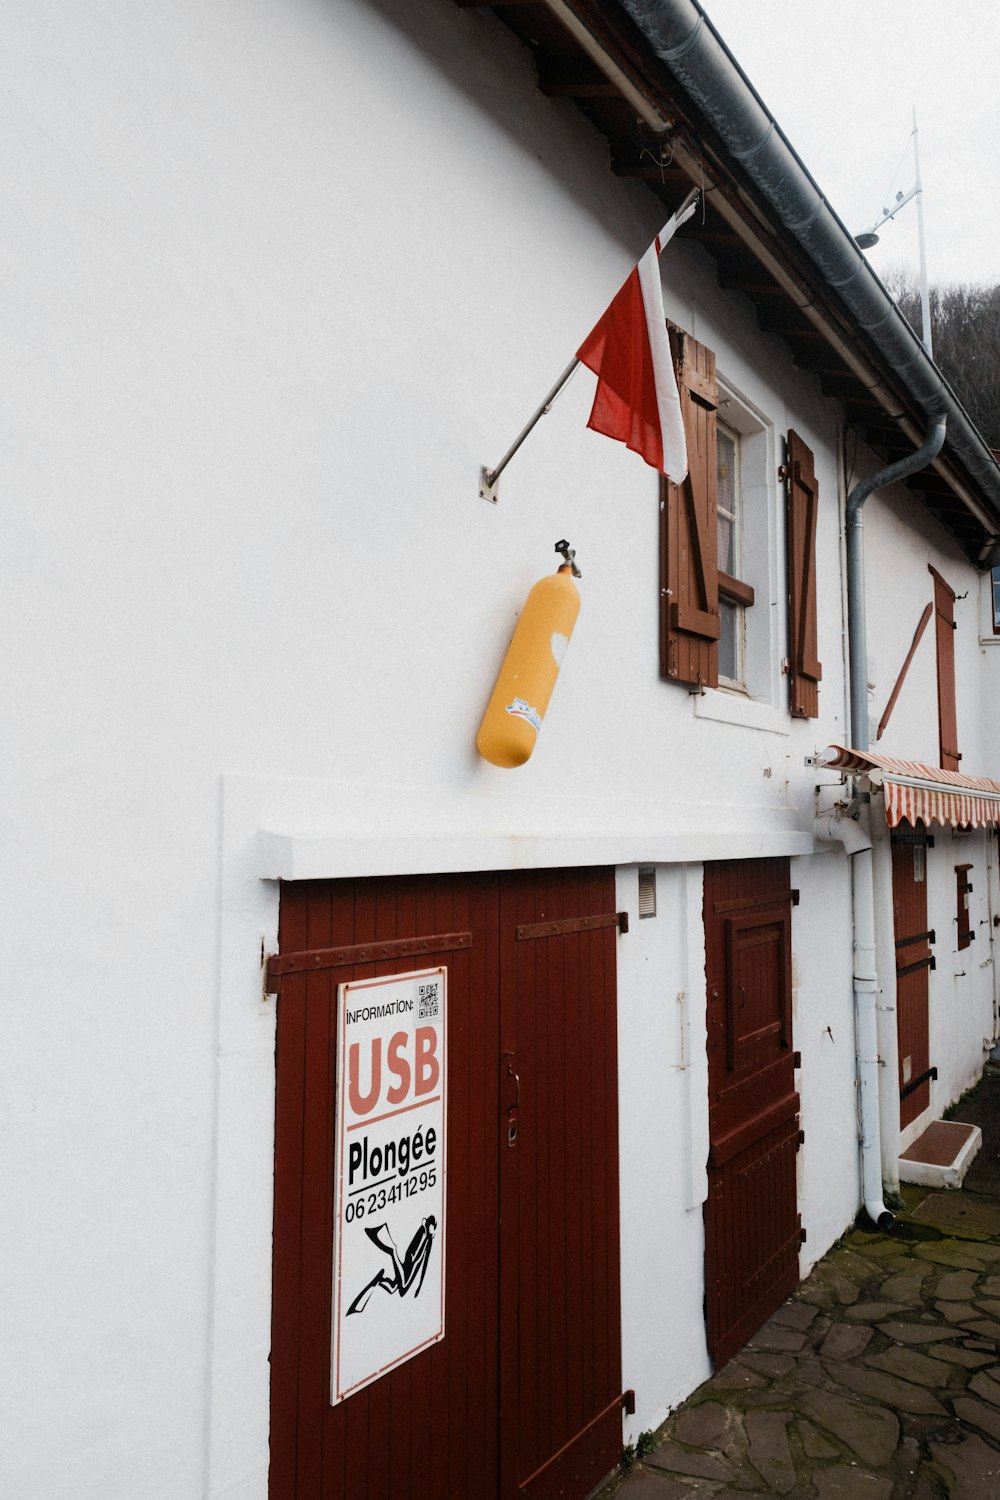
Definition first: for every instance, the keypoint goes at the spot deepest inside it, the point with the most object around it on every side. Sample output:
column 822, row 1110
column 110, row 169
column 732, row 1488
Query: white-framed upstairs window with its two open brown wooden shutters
column 723, row 619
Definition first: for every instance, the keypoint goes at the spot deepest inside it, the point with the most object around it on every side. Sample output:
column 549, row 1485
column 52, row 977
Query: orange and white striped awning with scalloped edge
column 917, row 793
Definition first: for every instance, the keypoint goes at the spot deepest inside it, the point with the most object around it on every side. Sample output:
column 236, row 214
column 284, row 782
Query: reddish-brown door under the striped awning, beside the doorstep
column 914, row 962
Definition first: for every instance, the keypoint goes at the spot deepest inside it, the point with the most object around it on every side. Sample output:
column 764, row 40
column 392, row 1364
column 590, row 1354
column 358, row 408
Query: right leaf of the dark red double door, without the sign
column 560, row 1244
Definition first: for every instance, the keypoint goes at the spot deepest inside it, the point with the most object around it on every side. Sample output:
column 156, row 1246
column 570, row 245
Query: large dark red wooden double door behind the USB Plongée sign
column 531, row 1342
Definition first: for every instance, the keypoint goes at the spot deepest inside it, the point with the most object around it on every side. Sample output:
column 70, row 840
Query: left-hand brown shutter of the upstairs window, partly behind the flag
column 689, row 529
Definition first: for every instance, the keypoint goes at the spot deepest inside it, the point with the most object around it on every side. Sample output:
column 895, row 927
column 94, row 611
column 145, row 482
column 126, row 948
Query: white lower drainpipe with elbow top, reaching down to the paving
column 858, row 847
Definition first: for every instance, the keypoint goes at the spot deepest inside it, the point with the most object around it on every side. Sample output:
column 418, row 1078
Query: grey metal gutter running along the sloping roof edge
column 681, row 37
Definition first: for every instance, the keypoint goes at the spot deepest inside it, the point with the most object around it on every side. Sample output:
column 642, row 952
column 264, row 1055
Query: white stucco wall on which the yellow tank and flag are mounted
column 278, row 280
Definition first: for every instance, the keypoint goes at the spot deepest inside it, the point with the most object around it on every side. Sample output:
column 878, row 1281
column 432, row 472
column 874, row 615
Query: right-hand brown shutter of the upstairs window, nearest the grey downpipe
column 803, row 497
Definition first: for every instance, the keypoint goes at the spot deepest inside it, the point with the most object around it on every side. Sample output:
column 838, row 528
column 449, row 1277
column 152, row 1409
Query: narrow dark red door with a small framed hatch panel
column 752, row 1223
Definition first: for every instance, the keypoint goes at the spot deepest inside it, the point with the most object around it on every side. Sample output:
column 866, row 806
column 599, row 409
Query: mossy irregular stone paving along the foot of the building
column 878, row 1381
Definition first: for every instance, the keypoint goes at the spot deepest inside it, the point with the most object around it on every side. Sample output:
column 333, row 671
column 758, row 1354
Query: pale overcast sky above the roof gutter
column 842, row 82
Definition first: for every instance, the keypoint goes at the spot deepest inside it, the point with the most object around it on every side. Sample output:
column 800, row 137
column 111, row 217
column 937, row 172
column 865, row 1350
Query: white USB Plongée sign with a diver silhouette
column 391, row 1175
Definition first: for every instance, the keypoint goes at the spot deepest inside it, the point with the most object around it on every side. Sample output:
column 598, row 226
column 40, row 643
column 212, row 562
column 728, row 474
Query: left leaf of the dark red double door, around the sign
column 428, row 1429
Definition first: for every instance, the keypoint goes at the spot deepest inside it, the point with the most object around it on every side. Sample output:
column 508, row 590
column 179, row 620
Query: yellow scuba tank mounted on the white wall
column 531, row 667
